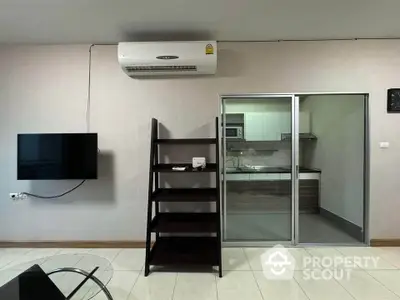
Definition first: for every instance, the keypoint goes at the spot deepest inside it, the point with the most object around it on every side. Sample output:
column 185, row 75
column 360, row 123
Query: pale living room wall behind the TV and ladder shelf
column 44, row 89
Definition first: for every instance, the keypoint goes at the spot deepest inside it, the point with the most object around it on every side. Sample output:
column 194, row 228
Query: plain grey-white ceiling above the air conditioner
column 111, row 21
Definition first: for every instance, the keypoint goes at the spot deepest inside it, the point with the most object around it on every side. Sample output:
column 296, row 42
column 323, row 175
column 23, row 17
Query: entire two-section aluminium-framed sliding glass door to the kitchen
column 294, row 168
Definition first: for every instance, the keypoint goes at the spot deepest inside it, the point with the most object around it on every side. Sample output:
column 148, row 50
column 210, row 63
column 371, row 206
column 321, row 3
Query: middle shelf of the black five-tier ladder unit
column 186, row 195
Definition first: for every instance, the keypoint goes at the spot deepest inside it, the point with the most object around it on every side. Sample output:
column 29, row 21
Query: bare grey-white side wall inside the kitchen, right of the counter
column 338, row 122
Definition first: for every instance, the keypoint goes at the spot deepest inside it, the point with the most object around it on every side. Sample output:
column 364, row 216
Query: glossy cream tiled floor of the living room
column 243, row 275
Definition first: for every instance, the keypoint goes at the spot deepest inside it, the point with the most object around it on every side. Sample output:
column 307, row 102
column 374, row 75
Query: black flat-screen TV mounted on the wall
column 57, row 156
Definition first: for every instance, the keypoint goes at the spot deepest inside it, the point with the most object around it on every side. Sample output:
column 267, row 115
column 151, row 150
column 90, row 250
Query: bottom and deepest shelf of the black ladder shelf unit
column 185, row 251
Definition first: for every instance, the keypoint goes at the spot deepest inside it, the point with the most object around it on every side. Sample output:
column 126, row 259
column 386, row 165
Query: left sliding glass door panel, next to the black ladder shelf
column 259, row 167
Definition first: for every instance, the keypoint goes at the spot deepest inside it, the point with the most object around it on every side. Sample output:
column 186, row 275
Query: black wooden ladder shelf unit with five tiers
column 182, row 250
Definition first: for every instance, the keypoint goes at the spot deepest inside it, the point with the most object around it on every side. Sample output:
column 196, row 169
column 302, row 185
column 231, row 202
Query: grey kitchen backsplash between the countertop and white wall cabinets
column 259, row 154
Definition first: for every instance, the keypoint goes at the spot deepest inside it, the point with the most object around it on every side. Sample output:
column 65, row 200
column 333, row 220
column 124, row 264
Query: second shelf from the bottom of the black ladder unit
column 185, row 222
